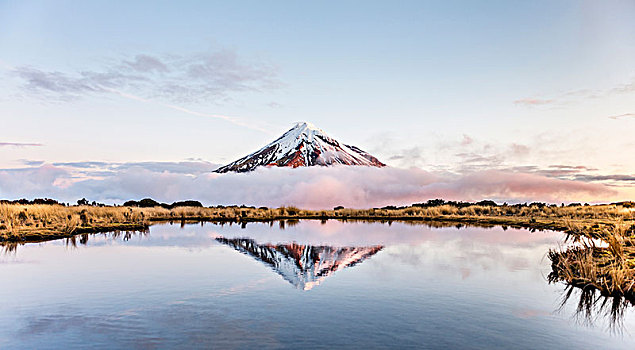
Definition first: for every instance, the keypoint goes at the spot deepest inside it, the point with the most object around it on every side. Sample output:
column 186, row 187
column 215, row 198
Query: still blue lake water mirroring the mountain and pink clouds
column 309, row 285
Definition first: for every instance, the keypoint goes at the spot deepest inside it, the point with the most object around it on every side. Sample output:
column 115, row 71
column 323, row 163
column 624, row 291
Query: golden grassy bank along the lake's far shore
column 24, row 222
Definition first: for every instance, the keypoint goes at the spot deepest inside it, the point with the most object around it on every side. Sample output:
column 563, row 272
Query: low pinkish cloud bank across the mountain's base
column 314, row 187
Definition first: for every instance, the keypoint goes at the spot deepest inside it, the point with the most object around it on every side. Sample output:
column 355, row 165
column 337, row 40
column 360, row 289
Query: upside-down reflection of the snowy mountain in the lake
column 304, row 266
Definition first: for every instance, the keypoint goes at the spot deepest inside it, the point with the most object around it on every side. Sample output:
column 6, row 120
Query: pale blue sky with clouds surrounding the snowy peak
column 476, row 98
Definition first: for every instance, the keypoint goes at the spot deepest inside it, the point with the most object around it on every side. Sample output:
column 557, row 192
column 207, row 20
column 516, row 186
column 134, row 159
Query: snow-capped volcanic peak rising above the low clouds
column 302, row 145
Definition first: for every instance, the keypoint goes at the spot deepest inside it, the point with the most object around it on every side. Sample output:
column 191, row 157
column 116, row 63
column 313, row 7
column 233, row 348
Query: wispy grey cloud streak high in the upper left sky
column 209, row 77
